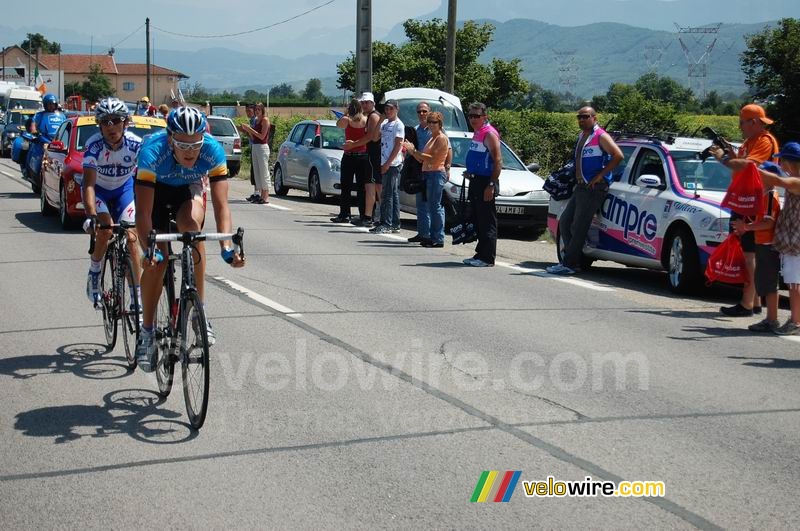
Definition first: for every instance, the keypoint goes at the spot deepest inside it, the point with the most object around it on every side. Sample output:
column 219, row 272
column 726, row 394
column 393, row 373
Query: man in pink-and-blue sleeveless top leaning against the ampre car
column 596, row 156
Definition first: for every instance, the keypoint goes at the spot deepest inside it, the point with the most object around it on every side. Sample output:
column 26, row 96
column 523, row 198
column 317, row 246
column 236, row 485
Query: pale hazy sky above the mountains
column 120, row 24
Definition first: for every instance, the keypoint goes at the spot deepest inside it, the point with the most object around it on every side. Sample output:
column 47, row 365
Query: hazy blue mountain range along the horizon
column 583, row 59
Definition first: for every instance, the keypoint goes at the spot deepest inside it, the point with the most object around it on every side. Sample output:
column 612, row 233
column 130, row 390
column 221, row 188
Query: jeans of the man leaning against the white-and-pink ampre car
column 577, row 219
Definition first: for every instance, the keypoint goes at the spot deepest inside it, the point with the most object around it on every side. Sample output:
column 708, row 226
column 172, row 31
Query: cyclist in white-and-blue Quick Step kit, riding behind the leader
column 109, row 165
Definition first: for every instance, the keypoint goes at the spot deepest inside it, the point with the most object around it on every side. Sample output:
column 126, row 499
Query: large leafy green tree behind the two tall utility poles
column 420, row 63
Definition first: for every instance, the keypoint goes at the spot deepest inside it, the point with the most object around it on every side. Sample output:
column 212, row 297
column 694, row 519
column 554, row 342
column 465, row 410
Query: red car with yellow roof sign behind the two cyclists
column 62, row 169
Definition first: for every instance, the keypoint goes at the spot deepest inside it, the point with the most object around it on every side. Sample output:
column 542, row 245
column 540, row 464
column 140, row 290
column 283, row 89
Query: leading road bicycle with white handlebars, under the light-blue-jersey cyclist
column 180, row 322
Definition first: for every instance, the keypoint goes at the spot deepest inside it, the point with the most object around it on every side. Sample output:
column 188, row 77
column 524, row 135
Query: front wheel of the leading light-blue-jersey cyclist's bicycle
column 194, row 359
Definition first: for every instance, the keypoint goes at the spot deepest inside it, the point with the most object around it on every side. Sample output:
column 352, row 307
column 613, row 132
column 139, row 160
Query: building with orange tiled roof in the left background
column 129, row 80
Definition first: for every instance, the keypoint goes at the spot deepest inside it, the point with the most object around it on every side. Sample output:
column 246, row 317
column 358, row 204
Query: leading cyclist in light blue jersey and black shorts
column 171, row 172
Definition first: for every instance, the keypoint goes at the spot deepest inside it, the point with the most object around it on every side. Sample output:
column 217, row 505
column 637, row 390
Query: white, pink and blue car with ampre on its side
column 662, row 211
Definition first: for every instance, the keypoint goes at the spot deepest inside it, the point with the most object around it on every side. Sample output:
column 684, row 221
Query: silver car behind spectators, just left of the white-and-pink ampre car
column 521, row 201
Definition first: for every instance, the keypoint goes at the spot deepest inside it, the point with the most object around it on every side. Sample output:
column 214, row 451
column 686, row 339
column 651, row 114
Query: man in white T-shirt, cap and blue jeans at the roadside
column 392, row 135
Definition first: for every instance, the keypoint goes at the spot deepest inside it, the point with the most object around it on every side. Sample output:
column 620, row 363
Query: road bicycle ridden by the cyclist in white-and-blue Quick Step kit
column 118, row 300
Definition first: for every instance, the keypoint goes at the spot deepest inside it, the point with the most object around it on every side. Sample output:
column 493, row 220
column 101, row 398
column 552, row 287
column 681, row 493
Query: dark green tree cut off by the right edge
column 771, row 65
